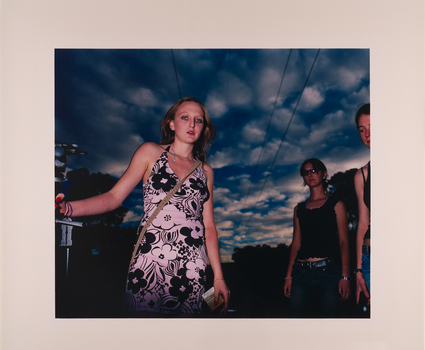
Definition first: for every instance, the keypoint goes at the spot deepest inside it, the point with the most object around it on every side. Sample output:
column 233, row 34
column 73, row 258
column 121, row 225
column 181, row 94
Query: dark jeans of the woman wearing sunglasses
column 314, row 291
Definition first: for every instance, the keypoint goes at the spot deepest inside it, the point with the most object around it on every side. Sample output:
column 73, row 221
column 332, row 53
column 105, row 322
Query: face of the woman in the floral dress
column 188, row 122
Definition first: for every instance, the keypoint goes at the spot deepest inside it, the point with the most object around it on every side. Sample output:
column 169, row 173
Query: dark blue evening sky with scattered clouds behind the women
column 110, row 101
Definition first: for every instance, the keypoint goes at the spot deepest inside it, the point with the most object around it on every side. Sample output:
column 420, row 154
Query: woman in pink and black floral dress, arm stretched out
column 167, row 275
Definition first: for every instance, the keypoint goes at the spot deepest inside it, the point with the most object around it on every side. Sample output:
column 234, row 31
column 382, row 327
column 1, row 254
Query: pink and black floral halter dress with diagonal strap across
column 168, row 271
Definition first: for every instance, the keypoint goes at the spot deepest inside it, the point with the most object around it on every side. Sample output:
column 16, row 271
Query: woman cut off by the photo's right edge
column 362, row 185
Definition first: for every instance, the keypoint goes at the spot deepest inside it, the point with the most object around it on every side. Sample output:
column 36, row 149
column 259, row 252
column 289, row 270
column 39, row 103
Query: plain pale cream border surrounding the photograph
column 31, row 30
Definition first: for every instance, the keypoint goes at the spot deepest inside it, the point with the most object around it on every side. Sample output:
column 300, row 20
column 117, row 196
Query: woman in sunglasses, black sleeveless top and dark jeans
column 318, row 274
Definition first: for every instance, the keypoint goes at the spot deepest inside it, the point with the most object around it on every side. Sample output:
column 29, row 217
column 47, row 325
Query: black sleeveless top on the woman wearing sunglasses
column 319, row 231
